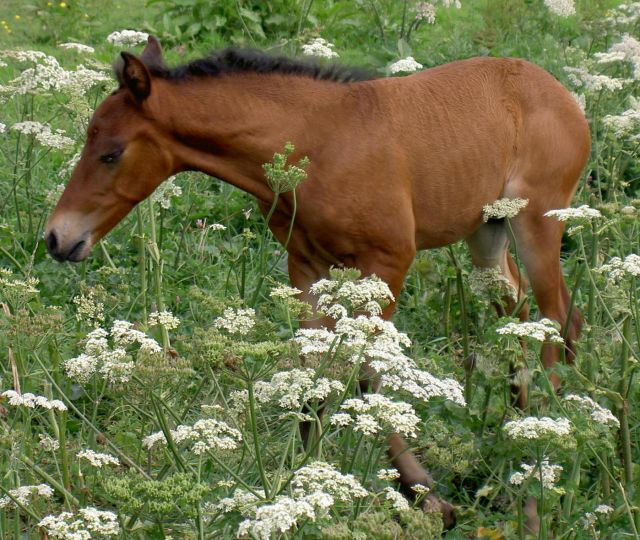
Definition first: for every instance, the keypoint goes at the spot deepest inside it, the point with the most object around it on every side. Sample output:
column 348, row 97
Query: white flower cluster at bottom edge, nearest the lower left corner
column 86, row 524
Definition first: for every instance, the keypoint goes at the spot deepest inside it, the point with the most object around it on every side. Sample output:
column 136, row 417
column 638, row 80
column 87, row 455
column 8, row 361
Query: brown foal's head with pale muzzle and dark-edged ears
column 124, row 159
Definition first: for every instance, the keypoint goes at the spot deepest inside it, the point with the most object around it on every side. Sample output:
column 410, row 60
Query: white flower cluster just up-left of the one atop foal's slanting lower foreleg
column 292, row 389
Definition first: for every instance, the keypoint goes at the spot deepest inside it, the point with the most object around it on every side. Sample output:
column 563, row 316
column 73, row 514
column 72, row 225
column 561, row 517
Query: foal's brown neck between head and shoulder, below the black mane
column 229, row 126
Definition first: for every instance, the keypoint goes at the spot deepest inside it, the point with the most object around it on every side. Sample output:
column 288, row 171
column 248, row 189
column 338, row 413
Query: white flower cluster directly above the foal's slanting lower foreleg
column 375, row 413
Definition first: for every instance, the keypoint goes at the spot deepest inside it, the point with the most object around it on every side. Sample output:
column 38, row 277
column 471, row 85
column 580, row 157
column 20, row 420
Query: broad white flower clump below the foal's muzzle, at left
column 112, row 362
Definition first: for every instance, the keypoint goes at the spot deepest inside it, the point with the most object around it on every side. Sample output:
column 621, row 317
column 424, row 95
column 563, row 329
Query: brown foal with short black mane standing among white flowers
column 396, row 164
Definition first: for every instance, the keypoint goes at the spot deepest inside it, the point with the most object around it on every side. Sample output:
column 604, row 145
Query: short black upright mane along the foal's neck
column 233, row 60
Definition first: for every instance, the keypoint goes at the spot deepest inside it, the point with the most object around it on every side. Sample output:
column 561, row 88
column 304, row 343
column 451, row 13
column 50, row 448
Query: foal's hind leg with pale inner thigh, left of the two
column 489, row 249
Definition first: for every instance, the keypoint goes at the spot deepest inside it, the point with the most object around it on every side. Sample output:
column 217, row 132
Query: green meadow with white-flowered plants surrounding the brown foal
column 159, row 389
